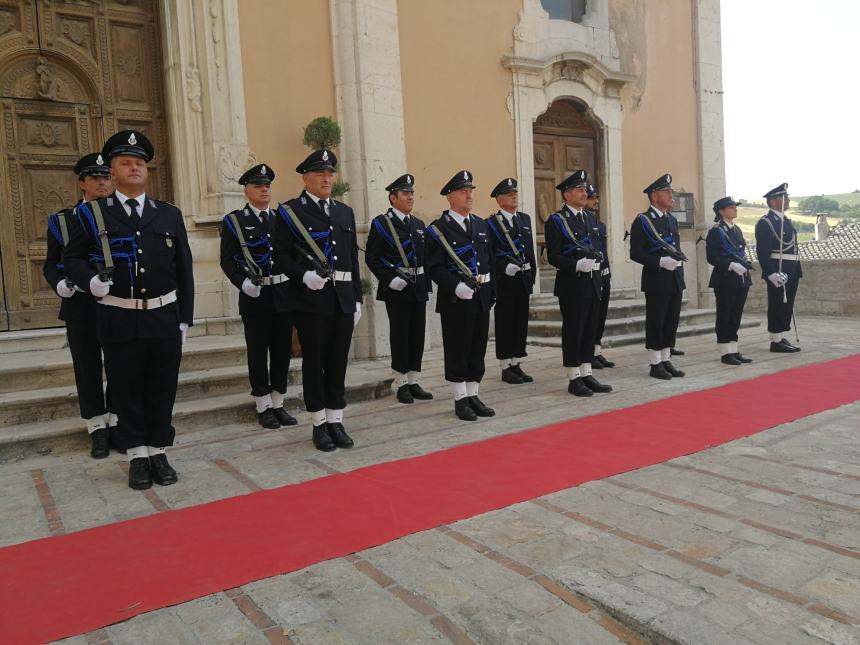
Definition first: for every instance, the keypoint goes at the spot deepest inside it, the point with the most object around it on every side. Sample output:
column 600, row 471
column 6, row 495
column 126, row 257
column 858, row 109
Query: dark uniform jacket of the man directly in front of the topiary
column 335, row 236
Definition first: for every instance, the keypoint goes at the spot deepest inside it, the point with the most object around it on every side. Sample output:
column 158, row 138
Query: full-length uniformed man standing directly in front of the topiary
column 316, row 247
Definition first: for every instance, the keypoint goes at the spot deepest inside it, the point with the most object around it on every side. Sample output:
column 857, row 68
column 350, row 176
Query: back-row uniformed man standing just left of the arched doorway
column 515, row 278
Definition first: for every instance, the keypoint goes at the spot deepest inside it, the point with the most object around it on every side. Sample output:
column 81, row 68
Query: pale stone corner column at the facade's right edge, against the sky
column 709, row 89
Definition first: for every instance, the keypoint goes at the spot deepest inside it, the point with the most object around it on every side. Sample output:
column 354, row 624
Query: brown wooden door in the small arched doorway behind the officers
column 565, row 140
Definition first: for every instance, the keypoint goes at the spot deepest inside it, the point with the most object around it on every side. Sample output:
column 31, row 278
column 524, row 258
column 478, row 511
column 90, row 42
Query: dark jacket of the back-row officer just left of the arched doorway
column 521, row 235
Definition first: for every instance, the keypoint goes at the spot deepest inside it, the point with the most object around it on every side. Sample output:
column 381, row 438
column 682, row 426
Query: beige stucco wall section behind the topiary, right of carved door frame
column 289, row 80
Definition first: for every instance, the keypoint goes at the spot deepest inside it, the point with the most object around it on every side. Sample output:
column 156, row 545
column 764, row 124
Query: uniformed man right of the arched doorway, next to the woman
column 656, row 244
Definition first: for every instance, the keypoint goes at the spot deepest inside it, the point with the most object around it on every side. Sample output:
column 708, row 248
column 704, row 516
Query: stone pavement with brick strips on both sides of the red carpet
column 755, row 541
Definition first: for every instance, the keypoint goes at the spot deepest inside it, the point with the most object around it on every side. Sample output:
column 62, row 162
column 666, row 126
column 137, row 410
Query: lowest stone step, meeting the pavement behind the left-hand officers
column 63, row 434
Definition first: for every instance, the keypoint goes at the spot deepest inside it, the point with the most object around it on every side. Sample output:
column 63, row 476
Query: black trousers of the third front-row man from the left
column 464, row 344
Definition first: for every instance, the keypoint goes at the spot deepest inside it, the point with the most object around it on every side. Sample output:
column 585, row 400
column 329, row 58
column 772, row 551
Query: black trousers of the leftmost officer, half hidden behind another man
column 87, row 362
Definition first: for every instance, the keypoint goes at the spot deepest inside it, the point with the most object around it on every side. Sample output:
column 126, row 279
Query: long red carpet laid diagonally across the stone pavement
column 61, row 586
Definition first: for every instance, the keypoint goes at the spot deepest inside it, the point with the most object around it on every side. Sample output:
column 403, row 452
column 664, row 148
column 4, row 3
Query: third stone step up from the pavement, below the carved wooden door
column 48, row 368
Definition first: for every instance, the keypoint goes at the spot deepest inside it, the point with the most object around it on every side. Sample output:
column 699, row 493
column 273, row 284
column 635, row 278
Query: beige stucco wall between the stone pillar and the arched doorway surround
column 455, row 94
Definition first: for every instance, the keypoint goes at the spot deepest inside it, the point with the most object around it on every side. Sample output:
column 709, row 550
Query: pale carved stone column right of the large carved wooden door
column 209, row 142
